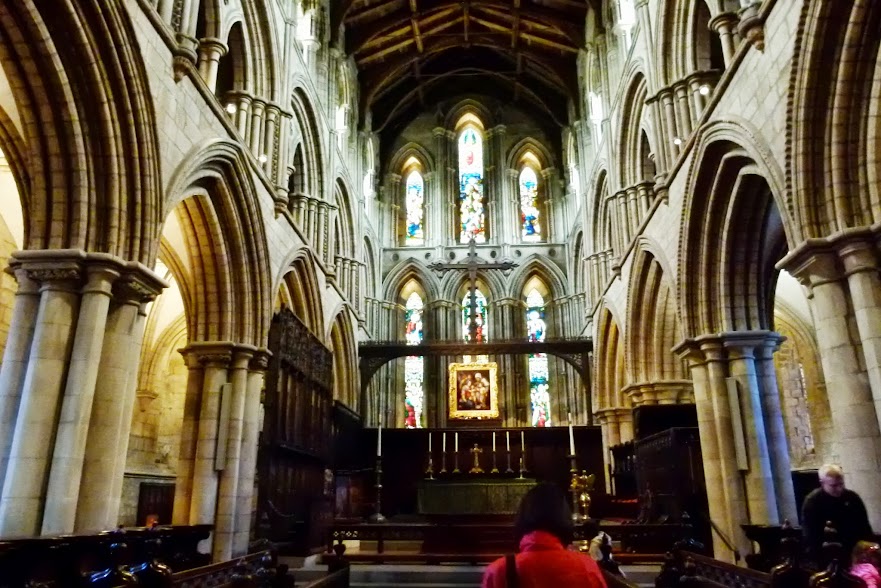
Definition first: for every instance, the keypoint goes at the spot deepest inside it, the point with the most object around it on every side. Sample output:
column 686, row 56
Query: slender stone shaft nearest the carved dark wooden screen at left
column 251, row 427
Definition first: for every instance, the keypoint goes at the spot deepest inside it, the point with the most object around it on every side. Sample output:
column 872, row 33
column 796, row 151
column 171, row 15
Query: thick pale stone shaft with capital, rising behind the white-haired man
column 851, row 400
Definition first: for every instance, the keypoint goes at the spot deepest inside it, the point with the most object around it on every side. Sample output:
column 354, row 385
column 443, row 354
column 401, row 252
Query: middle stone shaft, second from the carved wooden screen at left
column 225, row 519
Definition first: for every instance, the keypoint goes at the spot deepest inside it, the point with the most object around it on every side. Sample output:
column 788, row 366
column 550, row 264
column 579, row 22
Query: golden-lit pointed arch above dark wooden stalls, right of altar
column 653, row 329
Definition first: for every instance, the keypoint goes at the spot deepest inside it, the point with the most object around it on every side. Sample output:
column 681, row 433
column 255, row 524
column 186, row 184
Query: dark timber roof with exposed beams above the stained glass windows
column 412, row 53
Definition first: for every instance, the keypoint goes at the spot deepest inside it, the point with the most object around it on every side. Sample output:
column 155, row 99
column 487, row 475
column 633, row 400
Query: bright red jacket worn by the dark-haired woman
column 544, row 563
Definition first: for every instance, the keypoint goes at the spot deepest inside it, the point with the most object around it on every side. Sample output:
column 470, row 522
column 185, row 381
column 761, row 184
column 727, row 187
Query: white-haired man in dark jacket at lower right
column 834, row 505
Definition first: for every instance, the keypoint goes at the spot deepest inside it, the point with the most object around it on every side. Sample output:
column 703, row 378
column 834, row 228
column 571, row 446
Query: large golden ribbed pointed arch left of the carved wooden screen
column 215, row 203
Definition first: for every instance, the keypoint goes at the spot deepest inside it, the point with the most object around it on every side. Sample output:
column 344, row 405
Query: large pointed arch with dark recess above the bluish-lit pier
column 732, row 196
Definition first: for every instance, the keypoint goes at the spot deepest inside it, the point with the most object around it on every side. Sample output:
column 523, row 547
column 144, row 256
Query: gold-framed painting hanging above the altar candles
column 474, row 390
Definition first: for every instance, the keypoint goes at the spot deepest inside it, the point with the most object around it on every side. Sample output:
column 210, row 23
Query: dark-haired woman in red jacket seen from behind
column 544, row 529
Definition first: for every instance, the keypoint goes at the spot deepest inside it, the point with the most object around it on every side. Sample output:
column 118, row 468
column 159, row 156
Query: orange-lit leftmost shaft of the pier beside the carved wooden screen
column 183, row 490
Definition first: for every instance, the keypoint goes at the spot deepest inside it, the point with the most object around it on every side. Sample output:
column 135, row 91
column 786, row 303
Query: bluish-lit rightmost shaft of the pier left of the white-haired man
column 775, row 428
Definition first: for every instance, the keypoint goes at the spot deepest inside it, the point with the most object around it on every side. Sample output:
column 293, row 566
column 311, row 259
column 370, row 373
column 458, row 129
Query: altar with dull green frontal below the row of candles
column 479, row 496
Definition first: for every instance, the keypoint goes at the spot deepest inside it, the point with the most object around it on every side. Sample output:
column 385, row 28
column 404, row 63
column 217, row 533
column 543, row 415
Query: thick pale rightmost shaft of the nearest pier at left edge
column 110, row 422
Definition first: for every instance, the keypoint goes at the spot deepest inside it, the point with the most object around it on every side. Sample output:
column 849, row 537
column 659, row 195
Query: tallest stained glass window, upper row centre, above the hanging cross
column 472, row 216
